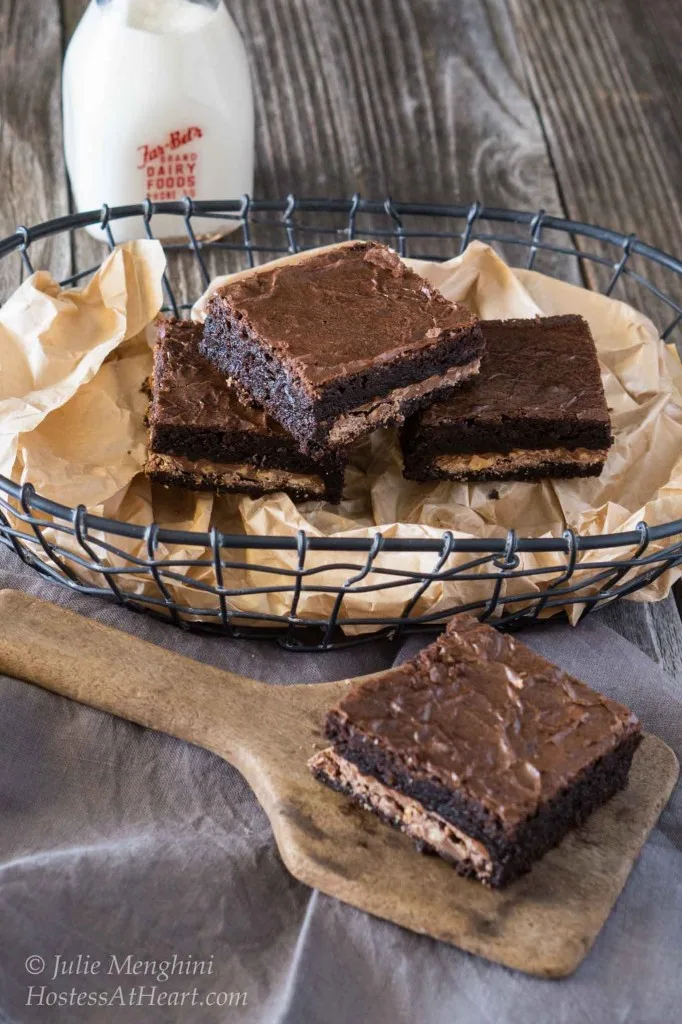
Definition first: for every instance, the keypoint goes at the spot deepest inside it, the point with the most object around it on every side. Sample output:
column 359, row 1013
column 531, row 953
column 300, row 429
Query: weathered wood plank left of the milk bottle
column 33, row 176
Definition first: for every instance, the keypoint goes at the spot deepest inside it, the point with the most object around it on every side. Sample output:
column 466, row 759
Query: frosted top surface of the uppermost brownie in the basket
column 334, row 312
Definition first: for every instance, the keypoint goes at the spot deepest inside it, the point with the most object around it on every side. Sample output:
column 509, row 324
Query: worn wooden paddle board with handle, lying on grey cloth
column 544, row 924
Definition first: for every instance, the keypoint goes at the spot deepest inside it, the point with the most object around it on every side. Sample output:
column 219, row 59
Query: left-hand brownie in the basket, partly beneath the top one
column 203, row 438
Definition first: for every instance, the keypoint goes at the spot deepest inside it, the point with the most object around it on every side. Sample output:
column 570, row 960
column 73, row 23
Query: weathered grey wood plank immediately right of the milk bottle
column 414, row 99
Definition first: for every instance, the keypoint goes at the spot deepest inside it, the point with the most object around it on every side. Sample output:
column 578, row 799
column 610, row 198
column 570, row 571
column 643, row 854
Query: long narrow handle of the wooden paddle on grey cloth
column 112, row 671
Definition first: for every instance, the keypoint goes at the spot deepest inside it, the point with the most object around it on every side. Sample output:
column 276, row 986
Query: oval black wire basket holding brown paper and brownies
column 91, row 554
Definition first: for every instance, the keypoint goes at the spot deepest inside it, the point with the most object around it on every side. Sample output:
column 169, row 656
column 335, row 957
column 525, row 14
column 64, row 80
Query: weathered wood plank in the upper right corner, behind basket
column 607, row 80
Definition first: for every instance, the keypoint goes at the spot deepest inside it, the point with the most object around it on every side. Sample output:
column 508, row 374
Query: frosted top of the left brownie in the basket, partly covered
column 189, row 392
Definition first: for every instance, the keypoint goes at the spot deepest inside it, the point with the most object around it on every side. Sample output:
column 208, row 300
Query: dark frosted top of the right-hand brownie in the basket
column 544, row 368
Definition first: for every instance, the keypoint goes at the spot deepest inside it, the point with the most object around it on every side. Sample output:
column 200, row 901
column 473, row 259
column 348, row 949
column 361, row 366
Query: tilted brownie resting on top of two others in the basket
column 343, row 342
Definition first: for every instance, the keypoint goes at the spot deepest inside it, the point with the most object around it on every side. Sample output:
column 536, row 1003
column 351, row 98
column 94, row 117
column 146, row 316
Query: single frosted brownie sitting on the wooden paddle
column 480, row 750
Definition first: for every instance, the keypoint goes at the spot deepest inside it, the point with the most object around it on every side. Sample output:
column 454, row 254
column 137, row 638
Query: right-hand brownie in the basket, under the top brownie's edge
column 536, row 410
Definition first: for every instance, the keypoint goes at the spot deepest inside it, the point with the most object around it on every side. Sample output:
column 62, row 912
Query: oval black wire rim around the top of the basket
column 242, row 208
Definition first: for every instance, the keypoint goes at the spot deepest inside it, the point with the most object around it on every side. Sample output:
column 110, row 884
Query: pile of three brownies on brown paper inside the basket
column 300, row 360
